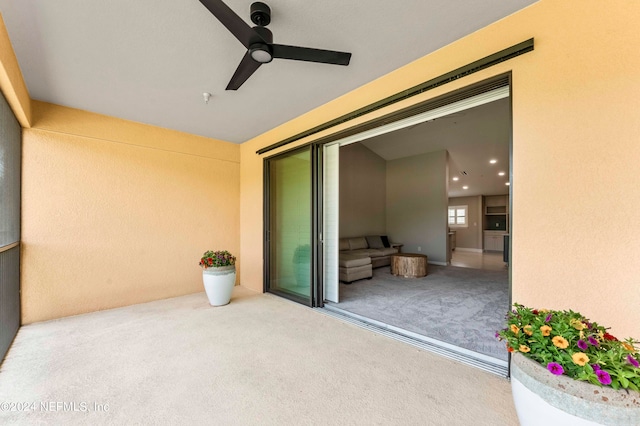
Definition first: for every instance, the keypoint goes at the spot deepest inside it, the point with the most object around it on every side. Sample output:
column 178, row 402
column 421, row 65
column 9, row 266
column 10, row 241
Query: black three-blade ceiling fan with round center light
column 259, row 42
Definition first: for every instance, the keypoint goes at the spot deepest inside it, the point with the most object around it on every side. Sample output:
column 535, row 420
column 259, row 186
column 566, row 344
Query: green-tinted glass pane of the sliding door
column 289, row 225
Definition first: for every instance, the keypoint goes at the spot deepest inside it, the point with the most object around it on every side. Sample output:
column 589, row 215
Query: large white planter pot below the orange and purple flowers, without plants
column 542, row 398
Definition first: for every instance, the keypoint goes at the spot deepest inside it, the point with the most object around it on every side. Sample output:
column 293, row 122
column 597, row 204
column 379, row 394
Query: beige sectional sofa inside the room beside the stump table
column 359, row 255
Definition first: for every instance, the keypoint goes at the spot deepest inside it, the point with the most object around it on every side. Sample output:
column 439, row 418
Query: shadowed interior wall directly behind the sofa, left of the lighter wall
column 362, row 192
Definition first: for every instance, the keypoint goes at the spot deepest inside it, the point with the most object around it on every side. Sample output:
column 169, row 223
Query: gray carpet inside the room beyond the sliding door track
column 461, row 306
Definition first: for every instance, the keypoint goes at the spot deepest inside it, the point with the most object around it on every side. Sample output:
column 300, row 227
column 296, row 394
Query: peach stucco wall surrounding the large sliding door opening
column 575, row 147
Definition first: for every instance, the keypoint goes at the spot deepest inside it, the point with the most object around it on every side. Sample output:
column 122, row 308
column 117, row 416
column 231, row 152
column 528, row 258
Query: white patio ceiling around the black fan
column 151, row 60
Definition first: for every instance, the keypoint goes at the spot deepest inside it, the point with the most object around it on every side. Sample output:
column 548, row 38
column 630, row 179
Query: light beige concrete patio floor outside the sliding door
column 259, row 360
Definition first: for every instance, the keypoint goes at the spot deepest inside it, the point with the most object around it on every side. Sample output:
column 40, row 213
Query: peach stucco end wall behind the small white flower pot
column 116, row 213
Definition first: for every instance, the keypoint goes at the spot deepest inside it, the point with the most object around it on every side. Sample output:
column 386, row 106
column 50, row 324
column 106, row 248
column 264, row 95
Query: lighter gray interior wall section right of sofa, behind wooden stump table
column 417, row 204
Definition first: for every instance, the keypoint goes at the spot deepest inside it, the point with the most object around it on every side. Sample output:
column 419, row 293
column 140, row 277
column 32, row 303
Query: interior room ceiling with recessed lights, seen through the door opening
column 472, row 137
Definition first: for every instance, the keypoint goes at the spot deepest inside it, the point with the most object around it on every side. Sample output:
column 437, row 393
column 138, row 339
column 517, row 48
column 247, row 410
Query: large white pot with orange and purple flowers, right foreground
column 559, row 356
